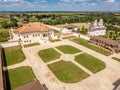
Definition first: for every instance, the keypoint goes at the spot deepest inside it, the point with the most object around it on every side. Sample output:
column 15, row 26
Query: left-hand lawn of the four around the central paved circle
column 49, row 54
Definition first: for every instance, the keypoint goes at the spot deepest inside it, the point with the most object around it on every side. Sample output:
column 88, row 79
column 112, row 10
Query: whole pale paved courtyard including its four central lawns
column 58, row 78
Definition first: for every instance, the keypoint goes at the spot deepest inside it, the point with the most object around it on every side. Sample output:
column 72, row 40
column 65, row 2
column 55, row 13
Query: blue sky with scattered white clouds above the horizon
column 59, row 5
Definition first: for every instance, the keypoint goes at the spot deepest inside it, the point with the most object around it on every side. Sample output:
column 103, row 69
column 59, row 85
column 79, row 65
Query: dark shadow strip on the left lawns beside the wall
column 5, row 73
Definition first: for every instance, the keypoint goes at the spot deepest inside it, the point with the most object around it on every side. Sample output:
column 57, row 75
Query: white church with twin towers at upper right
column 97, row 28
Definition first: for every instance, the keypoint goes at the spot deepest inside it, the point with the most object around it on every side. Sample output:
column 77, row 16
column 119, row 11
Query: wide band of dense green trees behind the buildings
column 55, row 18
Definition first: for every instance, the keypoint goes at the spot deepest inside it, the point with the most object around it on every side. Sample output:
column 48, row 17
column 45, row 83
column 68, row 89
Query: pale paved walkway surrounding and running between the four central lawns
column 100, row 81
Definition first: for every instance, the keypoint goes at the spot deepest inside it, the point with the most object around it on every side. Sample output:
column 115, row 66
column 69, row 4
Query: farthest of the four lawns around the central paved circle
column 67, row 49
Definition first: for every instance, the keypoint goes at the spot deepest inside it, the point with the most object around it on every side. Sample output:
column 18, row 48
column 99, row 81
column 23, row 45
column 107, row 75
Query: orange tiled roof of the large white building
column 33, row 27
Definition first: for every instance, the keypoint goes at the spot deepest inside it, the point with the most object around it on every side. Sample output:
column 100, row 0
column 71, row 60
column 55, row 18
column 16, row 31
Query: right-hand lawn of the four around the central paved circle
column 91, row 63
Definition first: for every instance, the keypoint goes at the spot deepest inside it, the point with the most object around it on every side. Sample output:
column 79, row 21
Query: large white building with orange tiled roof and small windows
column 33, row 32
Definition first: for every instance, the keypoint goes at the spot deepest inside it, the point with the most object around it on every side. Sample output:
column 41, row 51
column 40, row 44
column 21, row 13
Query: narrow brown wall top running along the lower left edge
column 1, row 70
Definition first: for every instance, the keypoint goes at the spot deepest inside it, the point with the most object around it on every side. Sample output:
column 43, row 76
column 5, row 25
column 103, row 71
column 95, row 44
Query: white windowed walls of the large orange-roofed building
column 33, row 37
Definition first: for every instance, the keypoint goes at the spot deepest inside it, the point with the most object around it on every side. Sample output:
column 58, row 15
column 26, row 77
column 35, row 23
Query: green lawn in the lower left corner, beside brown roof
column 20, row 76
